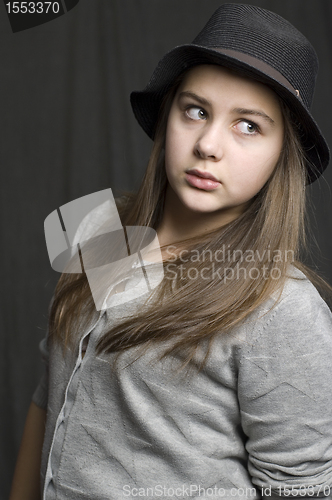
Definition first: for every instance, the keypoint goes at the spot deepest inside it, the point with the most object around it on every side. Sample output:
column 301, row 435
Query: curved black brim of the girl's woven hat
column 146, row 103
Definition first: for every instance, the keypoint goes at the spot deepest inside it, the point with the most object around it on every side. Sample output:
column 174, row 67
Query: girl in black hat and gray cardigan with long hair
column 217, row 383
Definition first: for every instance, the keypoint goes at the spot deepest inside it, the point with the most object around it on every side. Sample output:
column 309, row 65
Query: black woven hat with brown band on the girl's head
column 260, row 44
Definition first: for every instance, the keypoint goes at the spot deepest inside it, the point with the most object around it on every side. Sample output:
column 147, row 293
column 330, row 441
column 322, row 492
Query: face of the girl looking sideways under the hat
column 223, row 140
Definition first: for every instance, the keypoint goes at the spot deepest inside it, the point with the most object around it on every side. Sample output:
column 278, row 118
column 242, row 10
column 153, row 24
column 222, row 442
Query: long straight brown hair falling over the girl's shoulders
column 257, row 247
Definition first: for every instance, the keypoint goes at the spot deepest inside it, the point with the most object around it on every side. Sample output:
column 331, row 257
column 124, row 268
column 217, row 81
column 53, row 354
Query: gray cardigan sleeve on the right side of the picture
column 285, row 396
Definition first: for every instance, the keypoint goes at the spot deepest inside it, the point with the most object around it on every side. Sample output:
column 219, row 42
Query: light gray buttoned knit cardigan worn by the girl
column 255, row 423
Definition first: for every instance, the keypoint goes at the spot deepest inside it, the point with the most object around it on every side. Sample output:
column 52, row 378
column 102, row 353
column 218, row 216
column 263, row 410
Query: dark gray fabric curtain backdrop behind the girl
column 67, row 130
